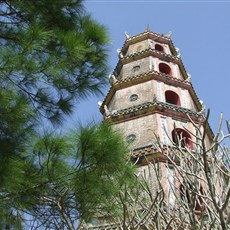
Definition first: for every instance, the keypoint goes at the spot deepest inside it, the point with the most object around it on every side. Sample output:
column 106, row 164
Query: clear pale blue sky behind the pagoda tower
column 201, row 30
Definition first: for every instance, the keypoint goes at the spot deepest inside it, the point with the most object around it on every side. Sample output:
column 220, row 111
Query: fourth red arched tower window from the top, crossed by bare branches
column 182, row 138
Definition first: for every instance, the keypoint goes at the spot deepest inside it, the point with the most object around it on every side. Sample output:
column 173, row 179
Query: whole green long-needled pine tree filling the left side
column 53, row 54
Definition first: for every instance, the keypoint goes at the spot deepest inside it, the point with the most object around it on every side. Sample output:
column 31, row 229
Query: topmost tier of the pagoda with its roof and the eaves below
column 148, row 44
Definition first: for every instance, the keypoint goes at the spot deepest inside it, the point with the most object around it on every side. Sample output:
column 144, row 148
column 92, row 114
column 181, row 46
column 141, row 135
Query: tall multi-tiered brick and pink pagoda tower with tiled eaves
column 152, row 100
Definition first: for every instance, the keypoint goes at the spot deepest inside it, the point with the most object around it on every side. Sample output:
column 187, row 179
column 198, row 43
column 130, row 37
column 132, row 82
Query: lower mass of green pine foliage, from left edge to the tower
column 84, row 170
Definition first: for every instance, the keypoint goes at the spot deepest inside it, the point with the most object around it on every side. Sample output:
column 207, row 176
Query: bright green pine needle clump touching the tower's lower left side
column 85, row 170
